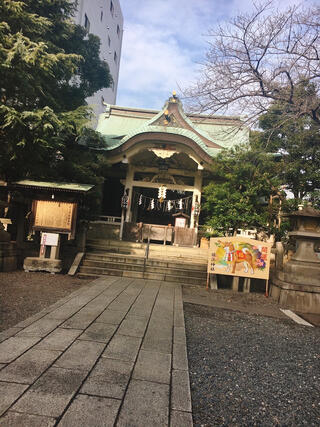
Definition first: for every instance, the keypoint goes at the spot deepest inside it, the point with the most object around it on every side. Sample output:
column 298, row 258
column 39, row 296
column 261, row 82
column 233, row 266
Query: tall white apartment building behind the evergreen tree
column 104, row 19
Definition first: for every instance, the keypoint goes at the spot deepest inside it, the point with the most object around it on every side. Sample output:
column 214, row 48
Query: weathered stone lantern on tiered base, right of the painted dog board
column 297, row 285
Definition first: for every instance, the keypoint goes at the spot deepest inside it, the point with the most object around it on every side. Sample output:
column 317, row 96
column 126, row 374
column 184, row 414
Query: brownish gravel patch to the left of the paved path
column 24, row 294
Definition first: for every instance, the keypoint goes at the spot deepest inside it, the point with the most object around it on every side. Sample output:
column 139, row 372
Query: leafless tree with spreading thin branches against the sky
column 264, row 56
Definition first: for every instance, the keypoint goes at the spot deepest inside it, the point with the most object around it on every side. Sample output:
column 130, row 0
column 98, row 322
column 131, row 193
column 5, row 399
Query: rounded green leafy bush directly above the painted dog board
column 239, row 193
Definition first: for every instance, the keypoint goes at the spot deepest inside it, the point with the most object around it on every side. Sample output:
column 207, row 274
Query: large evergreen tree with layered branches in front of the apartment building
column 48, row 66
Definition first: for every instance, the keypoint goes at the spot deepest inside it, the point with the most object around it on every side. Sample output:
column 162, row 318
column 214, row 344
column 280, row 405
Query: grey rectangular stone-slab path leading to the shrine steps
column 110, row 354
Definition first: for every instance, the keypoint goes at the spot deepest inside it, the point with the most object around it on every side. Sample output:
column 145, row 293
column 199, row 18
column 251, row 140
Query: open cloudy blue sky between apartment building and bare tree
column 164, row 43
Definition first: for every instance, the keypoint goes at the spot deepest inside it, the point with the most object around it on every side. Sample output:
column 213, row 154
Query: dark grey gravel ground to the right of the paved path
column 251, row 370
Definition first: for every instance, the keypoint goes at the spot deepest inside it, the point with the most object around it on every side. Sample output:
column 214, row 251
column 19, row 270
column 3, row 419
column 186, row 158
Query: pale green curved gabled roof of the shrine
column 211, row 134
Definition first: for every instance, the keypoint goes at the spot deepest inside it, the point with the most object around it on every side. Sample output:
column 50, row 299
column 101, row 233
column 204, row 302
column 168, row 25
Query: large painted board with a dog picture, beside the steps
column 239, row 256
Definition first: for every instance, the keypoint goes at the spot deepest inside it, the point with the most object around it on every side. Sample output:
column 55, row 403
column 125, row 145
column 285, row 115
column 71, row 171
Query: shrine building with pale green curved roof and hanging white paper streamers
column 159, row 163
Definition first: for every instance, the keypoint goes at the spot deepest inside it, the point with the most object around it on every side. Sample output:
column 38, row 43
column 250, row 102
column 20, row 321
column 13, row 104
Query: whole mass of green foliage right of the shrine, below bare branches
column 285, row 154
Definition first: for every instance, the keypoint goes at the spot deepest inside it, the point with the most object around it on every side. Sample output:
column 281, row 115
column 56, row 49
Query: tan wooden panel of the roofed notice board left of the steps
column 54, row 215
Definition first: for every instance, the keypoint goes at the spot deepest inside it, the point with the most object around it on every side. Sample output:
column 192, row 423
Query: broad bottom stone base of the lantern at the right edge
column 301, row 298
